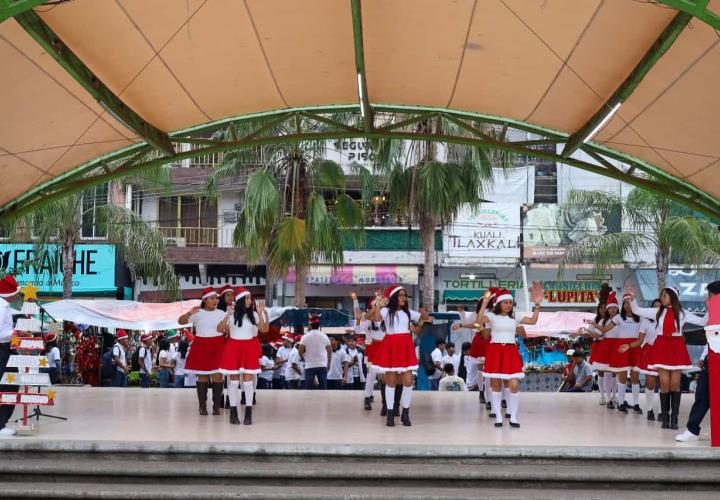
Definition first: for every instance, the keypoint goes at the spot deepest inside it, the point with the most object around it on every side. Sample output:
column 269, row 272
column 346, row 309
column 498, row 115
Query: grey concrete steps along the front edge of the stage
column 126, row 475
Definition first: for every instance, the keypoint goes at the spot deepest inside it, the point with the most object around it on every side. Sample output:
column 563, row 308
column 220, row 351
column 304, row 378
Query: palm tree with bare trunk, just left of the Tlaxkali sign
column 429, row 192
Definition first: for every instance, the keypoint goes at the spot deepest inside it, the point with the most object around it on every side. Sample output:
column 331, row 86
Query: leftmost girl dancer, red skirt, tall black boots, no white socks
column 207, row 348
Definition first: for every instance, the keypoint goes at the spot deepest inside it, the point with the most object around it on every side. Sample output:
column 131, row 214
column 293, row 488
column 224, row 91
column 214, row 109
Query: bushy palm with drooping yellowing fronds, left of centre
column 295, row 205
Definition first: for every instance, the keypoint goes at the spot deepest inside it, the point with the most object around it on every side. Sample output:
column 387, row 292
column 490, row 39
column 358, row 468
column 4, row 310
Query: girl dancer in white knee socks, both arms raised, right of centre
column 502, row 358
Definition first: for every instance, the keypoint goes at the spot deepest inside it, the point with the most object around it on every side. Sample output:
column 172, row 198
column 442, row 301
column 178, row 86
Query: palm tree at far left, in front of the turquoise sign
column 57, row 226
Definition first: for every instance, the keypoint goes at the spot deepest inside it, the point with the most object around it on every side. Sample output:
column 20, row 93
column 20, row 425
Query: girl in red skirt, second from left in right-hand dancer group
column 625, row 356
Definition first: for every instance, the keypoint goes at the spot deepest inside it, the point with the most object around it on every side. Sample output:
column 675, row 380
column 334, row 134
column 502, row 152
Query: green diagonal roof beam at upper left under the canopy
column 54, row 46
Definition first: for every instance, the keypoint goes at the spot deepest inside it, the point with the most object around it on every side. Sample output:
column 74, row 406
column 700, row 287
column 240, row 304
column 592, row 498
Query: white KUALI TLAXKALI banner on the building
column 493, row 230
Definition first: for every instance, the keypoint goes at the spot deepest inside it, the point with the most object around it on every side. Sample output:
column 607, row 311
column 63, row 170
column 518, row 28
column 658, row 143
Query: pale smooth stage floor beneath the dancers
column 335, row 422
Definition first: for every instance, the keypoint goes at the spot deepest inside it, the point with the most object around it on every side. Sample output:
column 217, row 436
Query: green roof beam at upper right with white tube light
column 627, row 87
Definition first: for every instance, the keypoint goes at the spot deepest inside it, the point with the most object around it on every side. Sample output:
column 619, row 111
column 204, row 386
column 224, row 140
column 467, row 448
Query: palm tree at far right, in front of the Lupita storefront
column 659, row 224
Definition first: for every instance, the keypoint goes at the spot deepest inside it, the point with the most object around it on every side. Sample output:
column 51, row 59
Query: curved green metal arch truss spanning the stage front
column 139, row 157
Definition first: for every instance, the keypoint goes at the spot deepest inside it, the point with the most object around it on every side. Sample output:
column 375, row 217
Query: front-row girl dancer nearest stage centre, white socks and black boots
column 396, row 357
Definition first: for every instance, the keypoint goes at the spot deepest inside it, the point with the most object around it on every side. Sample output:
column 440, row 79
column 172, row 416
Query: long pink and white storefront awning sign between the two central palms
column 359, row 275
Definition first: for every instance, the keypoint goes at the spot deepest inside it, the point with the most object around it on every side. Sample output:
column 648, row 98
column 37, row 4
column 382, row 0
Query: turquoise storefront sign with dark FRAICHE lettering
column 94, row 269
